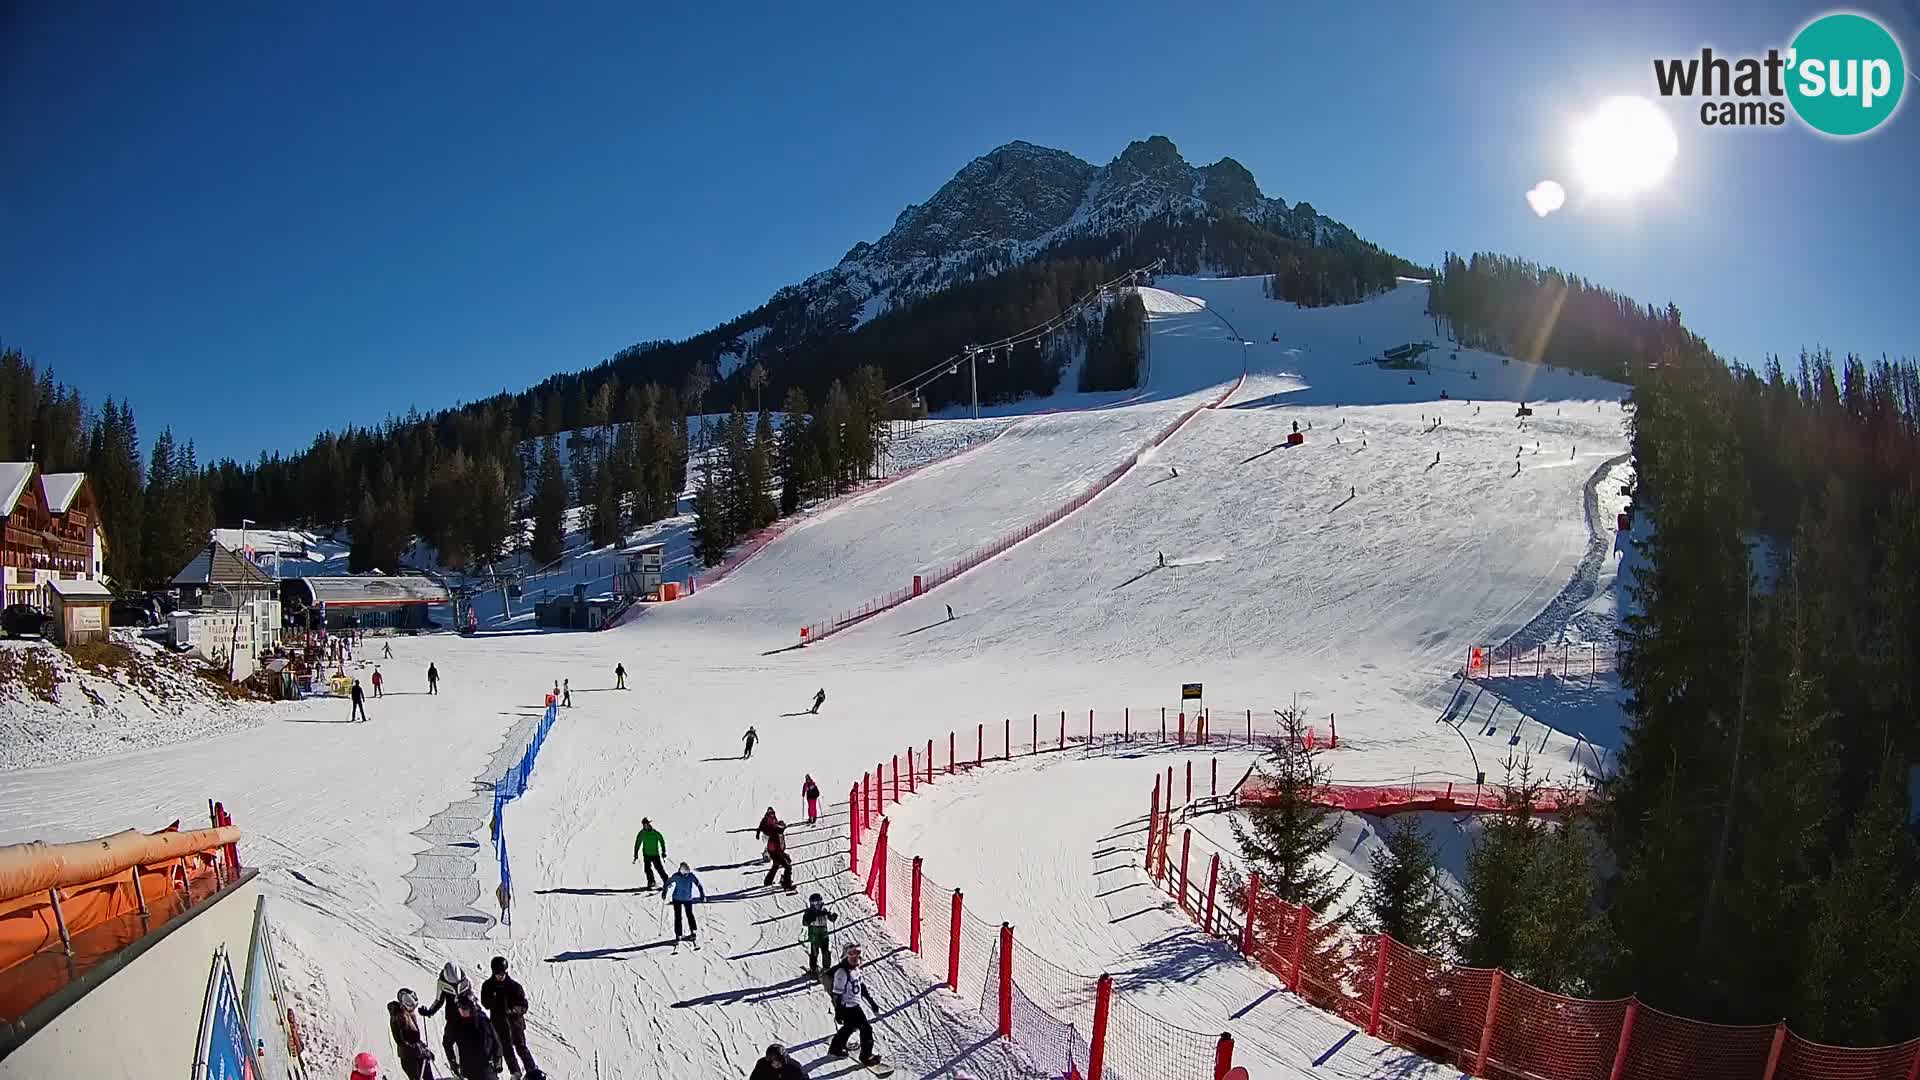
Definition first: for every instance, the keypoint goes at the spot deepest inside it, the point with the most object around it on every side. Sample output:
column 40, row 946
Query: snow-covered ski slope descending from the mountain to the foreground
column 1351, row 570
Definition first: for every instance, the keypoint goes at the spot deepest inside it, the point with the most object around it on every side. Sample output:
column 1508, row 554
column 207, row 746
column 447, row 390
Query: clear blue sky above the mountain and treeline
column 262, row 220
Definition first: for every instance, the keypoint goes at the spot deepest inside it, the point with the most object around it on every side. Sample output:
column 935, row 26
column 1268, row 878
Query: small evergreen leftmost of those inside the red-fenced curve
column 1285, row 835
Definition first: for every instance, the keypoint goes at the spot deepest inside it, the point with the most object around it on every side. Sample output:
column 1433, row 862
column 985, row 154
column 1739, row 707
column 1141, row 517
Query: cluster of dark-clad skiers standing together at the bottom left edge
column 481, row 1033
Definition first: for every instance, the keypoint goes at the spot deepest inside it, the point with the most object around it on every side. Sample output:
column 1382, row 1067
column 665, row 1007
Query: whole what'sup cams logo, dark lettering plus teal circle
column 1842, row 76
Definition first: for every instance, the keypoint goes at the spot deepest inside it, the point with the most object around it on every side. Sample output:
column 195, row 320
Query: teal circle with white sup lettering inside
column 1846, row 74
